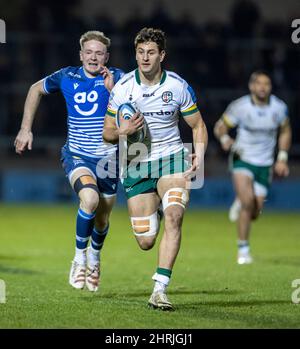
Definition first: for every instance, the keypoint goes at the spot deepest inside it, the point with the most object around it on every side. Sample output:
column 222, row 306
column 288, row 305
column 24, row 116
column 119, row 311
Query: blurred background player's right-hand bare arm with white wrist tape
column 281, row 167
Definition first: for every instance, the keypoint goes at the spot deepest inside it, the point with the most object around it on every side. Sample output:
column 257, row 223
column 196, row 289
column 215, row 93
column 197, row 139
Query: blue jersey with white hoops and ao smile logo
column 86, row 99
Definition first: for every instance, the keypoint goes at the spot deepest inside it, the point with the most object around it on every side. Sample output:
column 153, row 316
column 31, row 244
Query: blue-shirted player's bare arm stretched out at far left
column 24, row 137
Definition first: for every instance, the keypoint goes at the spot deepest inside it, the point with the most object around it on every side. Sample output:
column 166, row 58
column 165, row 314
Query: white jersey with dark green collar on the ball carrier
column 161, row 105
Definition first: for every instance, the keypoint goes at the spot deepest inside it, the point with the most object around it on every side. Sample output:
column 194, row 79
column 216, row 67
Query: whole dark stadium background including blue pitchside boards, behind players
column 214, row 46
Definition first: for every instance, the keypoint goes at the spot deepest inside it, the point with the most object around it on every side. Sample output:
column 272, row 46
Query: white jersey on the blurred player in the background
column 257, row 128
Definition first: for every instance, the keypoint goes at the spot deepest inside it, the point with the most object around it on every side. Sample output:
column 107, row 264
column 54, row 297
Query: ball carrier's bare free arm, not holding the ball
column 200, row 140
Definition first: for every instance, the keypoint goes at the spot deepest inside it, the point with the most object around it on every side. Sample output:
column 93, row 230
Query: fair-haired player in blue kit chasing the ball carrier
column 85, row 158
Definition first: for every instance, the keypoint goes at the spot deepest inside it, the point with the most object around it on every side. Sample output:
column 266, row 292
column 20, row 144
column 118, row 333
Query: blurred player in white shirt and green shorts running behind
column 259, row 117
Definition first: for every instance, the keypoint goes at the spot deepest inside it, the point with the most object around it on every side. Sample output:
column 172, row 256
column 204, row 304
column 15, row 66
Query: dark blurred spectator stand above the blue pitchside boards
column 215, row 54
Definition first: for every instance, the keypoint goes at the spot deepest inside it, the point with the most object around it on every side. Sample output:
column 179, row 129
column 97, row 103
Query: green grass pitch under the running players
column 208, row 288
